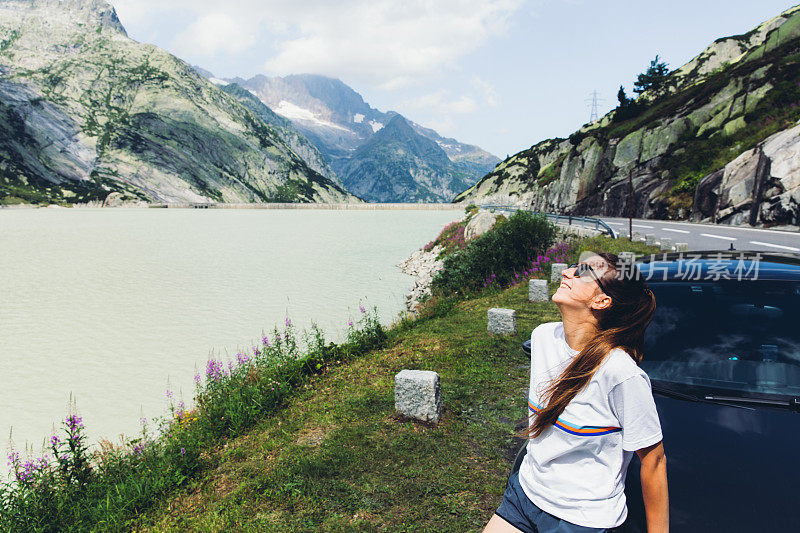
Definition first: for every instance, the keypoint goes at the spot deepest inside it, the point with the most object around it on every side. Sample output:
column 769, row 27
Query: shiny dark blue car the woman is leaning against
column 723, row 356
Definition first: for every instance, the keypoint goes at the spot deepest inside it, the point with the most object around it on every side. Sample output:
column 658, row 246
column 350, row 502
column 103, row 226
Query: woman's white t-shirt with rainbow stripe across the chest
column 575, row 470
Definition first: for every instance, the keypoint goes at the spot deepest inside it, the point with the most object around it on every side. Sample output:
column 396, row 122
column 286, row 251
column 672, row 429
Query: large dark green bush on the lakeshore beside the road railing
column 506, row 250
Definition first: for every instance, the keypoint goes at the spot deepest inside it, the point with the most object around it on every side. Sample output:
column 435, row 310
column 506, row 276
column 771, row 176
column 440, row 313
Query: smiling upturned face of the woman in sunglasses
column 581, row 293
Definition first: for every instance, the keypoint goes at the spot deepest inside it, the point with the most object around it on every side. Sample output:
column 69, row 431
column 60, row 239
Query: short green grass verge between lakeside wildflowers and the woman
column 338, row 459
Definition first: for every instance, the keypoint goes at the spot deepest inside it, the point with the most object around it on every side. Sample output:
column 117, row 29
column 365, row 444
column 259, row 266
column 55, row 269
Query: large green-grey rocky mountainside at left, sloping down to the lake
column 87, row 111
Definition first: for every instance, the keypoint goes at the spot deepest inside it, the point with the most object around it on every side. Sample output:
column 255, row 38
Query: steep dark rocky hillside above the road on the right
column 718, row 146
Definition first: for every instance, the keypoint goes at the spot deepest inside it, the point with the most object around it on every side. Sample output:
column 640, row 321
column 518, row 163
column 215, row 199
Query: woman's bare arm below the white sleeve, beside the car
column 654, row 487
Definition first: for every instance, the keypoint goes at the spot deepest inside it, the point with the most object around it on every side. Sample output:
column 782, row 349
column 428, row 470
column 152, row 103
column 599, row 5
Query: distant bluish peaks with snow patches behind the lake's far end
column 409, row 163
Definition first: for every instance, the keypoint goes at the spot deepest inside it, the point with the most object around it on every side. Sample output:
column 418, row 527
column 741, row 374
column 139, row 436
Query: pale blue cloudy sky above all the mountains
column 501, row 74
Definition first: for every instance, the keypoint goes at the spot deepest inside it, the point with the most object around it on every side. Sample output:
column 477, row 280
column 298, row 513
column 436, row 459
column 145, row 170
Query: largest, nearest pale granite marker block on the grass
column 417, row 394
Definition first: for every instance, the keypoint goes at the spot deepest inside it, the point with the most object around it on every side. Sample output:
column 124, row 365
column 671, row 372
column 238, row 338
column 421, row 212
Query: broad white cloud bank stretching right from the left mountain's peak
column 383, row 43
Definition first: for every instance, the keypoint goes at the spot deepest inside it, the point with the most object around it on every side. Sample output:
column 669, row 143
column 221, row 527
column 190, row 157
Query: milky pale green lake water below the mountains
column 113, row 307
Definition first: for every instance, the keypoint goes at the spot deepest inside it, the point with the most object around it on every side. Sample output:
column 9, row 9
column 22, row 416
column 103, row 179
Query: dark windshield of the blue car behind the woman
column 735, row 336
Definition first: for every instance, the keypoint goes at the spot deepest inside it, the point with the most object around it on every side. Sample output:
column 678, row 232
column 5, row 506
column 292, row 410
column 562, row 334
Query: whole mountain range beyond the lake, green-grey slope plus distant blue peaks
column 88, row 114
